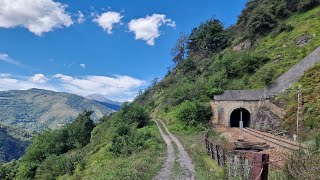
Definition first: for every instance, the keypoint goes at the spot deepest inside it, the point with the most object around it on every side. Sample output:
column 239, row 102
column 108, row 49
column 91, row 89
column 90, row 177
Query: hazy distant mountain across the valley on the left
column 36, row 109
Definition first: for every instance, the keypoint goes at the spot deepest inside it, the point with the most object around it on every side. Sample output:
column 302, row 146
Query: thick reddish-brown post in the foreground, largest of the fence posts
column 260, row 166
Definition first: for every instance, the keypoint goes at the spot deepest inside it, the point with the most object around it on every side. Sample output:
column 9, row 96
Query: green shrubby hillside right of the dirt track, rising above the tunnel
column 266, row 37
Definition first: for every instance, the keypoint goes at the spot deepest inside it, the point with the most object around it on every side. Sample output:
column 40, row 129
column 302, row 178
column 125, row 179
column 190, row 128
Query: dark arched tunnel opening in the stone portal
column 236, row 116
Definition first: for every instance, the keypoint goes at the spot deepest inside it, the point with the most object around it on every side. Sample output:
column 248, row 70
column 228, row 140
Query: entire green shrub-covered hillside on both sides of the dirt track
column 269, row 38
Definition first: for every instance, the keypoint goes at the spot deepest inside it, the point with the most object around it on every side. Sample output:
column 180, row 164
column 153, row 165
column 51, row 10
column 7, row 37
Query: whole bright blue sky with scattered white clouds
column 108, row 47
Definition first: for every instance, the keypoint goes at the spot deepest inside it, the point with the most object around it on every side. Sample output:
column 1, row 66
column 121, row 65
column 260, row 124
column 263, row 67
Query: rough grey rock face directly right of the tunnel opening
column 265, row 120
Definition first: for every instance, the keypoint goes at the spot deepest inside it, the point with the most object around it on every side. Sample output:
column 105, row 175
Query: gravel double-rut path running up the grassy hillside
column 187, row 167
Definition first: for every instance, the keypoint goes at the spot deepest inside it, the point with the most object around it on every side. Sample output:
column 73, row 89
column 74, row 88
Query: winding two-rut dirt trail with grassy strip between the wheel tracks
column 188, row 172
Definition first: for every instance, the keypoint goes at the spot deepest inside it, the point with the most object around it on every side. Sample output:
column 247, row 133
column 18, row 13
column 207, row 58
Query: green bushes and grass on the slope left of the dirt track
column 125, row 145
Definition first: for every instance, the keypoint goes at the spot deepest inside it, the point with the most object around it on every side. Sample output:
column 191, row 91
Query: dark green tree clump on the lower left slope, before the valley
column 47, row 147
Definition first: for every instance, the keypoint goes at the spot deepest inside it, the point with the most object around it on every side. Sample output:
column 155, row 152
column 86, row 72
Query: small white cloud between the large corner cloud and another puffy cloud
column 107, row 20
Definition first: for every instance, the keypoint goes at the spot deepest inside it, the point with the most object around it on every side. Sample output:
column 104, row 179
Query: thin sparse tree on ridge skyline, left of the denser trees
column 179, row 52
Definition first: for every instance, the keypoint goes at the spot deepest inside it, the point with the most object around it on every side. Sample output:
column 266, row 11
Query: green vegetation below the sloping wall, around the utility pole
column 310, row 117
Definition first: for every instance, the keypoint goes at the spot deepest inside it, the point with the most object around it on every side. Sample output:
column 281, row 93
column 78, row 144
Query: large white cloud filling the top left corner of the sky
column 38, row 16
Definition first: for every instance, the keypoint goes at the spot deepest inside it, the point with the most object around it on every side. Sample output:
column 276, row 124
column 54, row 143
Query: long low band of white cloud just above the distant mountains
column 119, row 87
